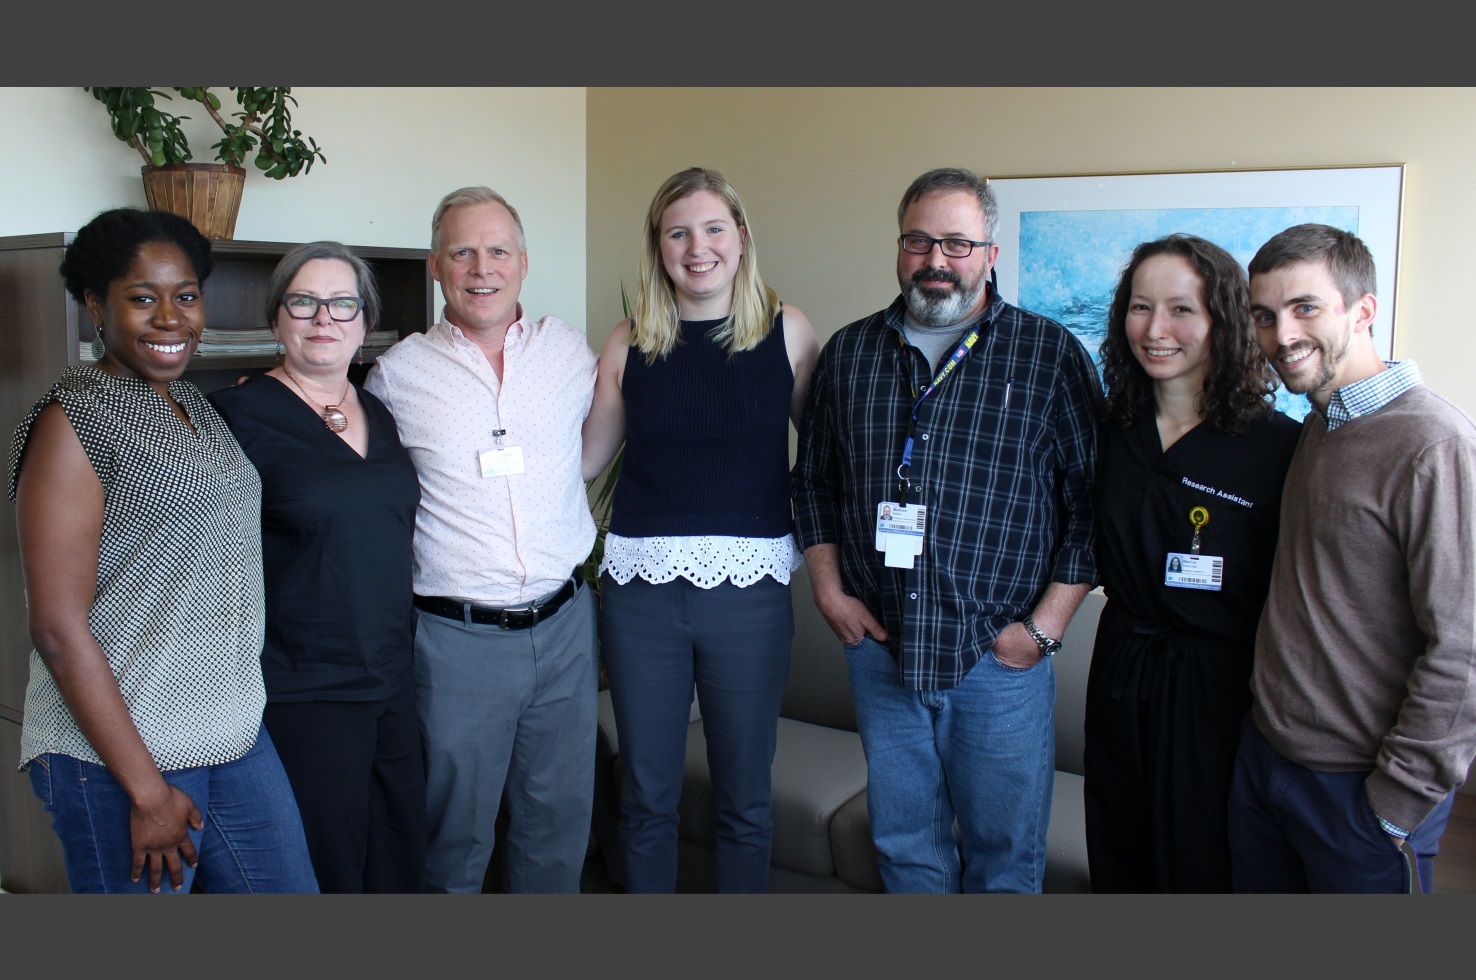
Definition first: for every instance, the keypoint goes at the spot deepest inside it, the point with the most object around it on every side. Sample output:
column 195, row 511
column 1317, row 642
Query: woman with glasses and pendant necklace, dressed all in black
column 339, row 498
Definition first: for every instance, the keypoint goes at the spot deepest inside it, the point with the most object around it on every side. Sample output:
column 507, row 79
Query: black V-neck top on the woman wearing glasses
column 336, row 539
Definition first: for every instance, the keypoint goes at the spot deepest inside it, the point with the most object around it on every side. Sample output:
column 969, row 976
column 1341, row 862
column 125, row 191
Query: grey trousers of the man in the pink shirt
column 508, row 717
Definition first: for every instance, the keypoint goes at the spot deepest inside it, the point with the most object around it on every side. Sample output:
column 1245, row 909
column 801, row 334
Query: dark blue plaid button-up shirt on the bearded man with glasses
column 1003, row 461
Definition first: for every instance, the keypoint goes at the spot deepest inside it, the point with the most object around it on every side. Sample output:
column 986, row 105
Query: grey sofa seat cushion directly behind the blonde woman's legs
column 817, row 771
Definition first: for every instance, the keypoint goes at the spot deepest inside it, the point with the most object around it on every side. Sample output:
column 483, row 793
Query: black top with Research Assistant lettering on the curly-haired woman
column 1145, row 498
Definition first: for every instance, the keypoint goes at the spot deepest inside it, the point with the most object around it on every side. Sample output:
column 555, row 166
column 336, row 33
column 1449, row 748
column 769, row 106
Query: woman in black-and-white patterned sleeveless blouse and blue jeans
column 141, row 542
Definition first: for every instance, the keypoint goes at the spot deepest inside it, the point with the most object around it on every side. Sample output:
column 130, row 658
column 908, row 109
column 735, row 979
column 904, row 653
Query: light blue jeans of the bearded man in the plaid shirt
column 981, row 755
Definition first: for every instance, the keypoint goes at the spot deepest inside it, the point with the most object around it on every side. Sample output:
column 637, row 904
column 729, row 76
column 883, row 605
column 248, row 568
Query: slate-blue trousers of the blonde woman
column 734, row 646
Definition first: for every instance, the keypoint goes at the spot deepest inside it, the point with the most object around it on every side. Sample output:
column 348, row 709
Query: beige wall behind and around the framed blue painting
column 821, row 172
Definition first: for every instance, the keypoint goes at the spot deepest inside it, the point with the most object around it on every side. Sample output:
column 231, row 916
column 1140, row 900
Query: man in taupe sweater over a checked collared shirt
column 1365, row 714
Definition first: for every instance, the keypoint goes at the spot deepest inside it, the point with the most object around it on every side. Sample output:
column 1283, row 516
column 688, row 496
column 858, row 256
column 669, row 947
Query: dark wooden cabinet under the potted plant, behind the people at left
column 44, row 331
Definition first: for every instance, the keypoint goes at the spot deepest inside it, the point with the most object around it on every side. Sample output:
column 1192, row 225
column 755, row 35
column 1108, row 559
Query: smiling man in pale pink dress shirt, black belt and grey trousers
column 491, row 405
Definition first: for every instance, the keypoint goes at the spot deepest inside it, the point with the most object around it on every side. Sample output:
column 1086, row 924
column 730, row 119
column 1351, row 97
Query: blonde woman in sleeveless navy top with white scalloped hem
column 702, row 384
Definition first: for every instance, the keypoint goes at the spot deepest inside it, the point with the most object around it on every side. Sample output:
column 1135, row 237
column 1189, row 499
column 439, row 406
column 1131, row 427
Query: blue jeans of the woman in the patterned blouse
column 252, row 842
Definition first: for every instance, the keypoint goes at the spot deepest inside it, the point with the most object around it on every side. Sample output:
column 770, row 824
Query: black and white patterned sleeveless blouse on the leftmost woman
column 179, row 607
